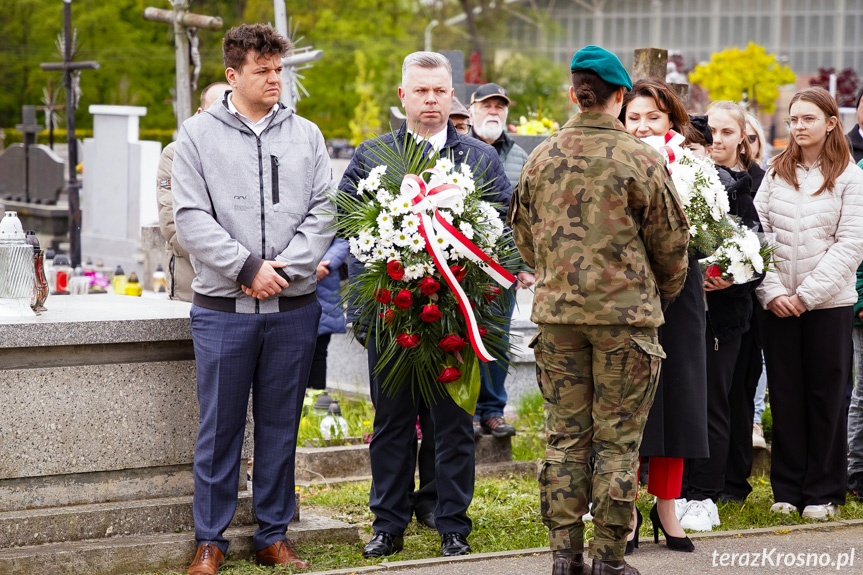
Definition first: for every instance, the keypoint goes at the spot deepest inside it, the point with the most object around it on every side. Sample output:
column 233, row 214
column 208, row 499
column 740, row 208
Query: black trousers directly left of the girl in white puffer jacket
column 747, row 372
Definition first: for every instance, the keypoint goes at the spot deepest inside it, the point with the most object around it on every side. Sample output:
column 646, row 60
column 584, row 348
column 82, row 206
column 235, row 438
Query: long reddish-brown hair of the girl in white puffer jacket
column 835, row 154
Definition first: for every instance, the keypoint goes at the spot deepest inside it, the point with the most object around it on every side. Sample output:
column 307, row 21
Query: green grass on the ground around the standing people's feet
column 505, row 511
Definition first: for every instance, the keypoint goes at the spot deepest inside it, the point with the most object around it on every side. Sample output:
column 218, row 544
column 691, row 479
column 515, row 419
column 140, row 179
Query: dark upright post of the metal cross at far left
column 72, row 142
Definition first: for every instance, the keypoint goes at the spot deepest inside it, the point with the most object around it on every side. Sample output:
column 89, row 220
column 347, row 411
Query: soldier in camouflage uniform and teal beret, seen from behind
column 597, row 216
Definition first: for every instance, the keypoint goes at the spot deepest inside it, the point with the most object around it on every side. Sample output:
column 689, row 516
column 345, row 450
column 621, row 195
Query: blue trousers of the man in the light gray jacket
column 270, row 355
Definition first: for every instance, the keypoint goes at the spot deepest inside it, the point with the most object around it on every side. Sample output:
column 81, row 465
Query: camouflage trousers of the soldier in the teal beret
column 598, row 383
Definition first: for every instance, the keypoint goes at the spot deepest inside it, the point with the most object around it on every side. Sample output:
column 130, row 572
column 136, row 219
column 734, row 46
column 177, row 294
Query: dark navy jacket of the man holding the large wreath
column 482, row 157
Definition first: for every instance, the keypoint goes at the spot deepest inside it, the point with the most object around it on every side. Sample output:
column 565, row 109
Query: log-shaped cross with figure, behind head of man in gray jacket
column 186, row 26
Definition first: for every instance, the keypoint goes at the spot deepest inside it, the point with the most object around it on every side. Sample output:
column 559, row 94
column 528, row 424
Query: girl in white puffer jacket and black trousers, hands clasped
column 812, row 199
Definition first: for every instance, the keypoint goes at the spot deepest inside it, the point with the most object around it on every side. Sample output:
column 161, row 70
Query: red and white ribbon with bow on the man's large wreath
column 426, row 199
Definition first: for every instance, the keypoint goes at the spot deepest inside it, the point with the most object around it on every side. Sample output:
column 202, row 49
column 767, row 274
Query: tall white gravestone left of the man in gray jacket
column 120, row 187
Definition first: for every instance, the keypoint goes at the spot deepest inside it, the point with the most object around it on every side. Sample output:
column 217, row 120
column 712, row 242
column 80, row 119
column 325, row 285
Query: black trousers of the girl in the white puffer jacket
column 807, row 360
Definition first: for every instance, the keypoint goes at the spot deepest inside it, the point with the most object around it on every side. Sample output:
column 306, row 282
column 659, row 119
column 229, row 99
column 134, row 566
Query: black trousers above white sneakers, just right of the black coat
column 703, row 478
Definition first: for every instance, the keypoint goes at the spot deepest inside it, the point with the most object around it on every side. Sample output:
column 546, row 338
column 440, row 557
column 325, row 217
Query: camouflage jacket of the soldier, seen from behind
column 596, row 214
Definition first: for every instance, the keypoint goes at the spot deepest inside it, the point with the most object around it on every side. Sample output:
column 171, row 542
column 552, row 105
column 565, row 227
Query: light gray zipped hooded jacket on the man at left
column 240, row 199
